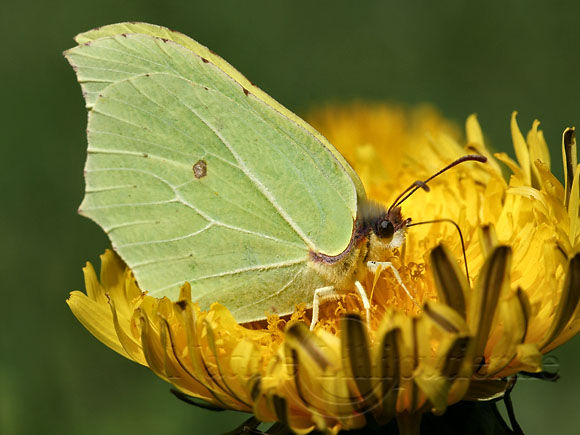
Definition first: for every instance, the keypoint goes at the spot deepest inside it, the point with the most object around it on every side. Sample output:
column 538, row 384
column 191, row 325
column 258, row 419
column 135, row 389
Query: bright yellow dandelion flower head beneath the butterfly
column 467, row 339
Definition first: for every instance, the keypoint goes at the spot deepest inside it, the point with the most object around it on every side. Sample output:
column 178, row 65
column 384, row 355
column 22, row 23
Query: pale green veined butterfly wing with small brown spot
column 241, row 233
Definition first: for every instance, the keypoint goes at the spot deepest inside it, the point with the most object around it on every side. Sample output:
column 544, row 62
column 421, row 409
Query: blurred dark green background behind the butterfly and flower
column 463, row 57
